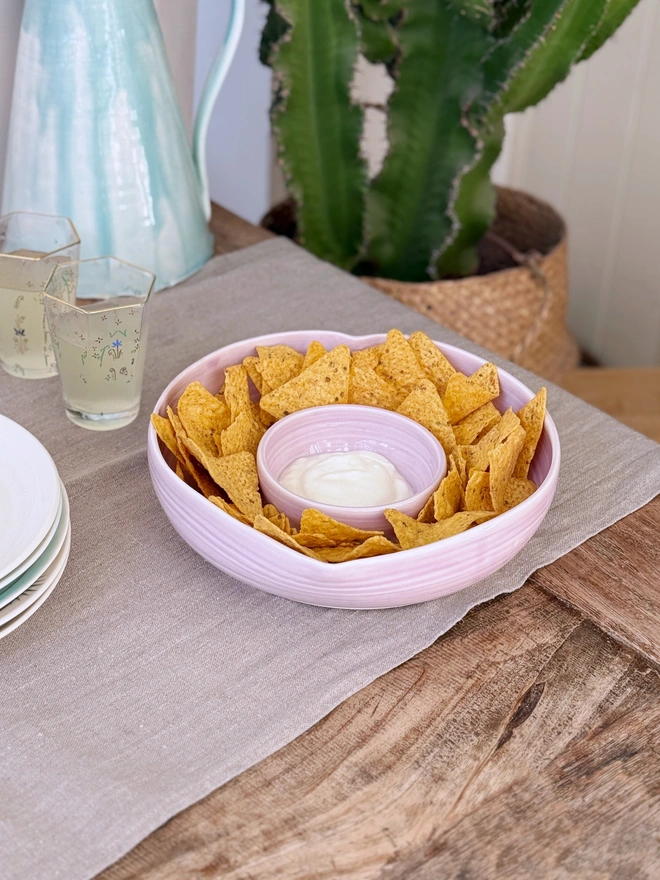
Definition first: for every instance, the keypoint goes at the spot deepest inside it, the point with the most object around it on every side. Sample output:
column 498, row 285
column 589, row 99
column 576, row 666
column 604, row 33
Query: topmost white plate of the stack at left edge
column 29, row 494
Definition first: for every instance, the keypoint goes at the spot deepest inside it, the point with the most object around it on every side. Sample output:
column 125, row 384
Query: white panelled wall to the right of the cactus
column 592, row 149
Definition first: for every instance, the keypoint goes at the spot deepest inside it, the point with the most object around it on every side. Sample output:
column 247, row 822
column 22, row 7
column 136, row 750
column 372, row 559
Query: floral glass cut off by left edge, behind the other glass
column 30, row 246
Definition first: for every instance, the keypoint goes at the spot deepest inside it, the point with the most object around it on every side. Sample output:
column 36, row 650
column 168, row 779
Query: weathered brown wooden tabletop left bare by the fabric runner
column 525, row 743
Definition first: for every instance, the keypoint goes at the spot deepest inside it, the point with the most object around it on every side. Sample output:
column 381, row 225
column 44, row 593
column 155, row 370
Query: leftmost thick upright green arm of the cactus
column 317, row 127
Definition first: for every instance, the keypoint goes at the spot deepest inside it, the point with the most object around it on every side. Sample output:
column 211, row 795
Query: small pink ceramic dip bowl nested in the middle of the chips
column 413, row 451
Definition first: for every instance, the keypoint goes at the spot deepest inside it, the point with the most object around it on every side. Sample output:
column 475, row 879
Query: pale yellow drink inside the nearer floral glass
column 100, row 358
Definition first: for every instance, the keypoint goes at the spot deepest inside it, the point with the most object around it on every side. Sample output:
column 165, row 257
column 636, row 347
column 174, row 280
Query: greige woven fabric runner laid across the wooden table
column 149, row 678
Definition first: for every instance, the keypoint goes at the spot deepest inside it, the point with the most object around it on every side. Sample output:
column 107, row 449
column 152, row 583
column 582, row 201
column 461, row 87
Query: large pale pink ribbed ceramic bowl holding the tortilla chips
column 403, row 578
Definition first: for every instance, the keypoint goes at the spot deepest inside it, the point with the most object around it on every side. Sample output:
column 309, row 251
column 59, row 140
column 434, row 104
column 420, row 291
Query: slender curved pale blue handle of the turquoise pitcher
column 212, row 86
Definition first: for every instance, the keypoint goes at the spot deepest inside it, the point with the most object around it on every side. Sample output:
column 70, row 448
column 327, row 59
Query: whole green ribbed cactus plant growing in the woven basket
column 458, row 67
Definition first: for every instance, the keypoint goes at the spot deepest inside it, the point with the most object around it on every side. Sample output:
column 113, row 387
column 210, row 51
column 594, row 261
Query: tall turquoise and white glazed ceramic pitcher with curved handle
column 96, row 133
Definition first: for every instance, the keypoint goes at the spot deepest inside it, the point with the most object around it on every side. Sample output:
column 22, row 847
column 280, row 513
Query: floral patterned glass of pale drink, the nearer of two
column 96, row 313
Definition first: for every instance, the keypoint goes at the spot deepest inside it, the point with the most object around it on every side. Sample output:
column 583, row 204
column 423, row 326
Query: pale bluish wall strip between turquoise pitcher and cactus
column 238, row 146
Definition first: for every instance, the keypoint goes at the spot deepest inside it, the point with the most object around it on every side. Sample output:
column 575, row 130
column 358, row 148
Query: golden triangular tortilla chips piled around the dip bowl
column 214, row 438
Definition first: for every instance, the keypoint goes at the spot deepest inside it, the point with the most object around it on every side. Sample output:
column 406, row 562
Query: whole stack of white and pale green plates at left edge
column 35, row 529
